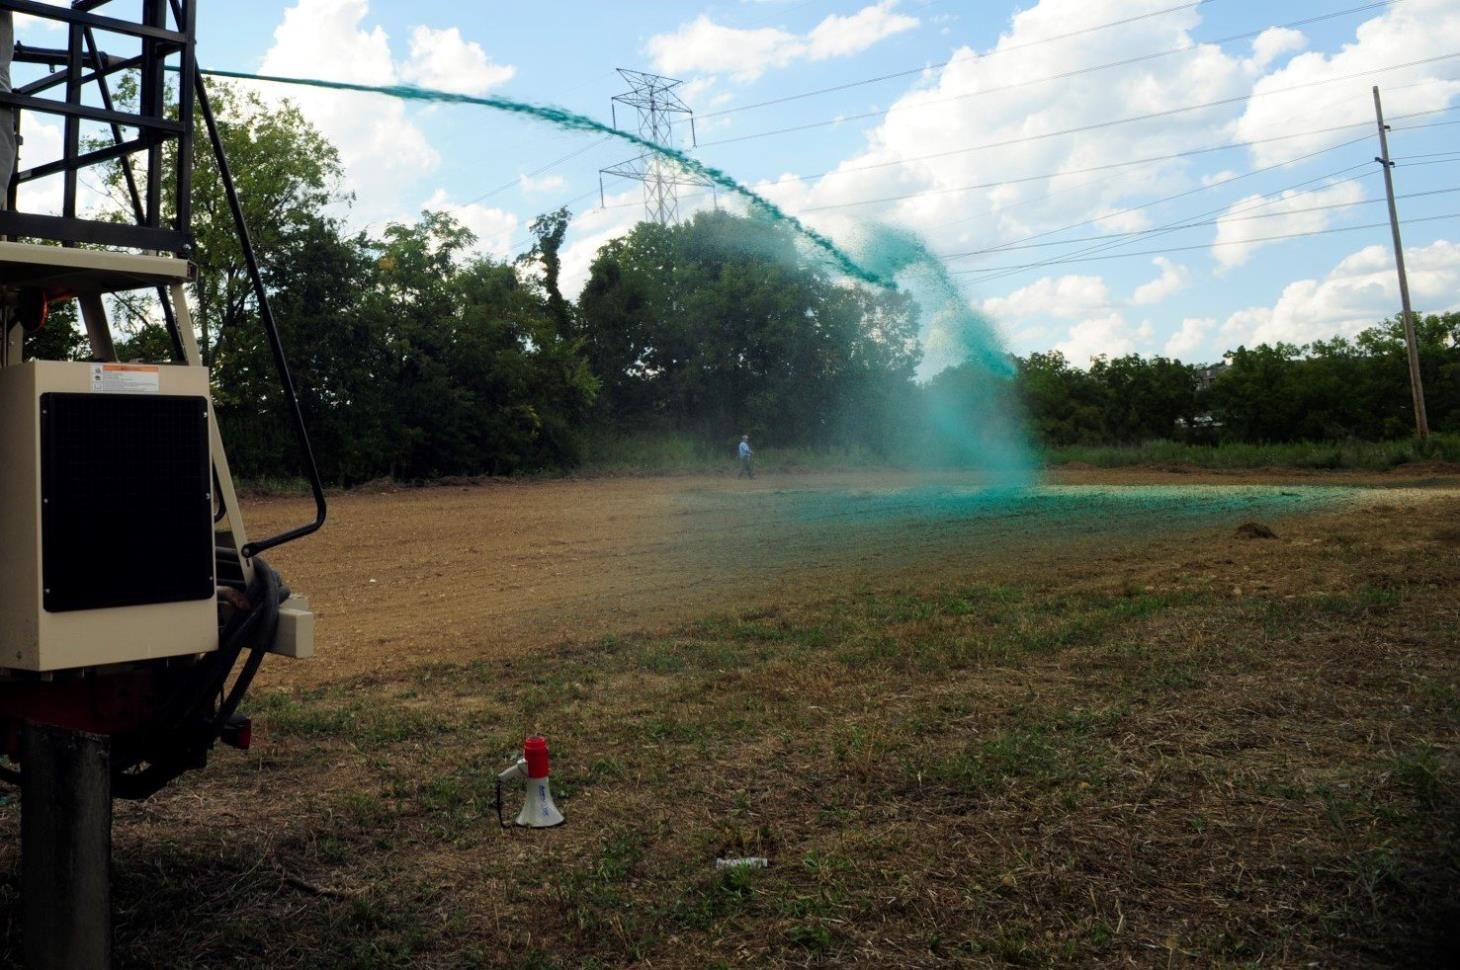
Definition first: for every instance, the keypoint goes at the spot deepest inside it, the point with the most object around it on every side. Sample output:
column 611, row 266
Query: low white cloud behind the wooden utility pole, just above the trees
column 1357, row 294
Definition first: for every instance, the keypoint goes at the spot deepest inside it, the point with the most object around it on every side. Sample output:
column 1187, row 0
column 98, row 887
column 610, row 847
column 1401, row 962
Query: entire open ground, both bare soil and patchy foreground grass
column 1129, row 718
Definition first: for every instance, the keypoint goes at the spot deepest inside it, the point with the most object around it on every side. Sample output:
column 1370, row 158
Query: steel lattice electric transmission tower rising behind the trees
column 659, row 110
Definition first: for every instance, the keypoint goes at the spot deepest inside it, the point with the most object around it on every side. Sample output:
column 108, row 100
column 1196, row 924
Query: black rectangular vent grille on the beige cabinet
column 128, row 512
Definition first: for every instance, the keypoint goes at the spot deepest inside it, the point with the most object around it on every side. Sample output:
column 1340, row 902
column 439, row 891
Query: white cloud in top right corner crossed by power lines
column 1405, row 33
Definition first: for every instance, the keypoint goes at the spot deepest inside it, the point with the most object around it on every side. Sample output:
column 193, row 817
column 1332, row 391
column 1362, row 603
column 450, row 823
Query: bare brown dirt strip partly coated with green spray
column 402, row 578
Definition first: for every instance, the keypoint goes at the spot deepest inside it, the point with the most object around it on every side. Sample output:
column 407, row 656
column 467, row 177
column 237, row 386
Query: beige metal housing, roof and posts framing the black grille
column 115, row 487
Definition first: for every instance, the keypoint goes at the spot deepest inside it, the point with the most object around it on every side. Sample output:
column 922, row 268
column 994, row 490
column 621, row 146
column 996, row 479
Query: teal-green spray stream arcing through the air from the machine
column 980, row 423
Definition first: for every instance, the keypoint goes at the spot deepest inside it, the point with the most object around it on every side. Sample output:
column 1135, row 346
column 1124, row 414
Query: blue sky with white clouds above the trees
column 983, row 72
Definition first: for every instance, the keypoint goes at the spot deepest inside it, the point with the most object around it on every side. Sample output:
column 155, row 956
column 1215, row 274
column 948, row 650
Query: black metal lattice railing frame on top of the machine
column 166, row 43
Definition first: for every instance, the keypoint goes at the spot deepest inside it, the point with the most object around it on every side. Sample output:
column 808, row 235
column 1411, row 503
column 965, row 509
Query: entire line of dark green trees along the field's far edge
column 418, row 357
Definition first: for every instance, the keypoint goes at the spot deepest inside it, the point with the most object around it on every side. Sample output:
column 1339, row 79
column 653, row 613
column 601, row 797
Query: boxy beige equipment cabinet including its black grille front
column 47, row 629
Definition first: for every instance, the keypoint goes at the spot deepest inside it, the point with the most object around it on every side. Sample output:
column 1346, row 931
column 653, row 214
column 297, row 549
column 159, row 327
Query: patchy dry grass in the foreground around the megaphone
column 1243, row 756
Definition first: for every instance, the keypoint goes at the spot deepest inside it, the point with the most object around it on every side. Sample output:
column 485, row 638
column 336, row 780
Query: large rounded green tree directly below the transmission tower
column 721, row 325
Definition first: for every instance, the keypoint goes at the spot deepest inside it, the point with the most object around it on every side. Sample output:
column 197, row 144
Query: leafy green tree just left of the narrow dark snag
column 477, row 373
